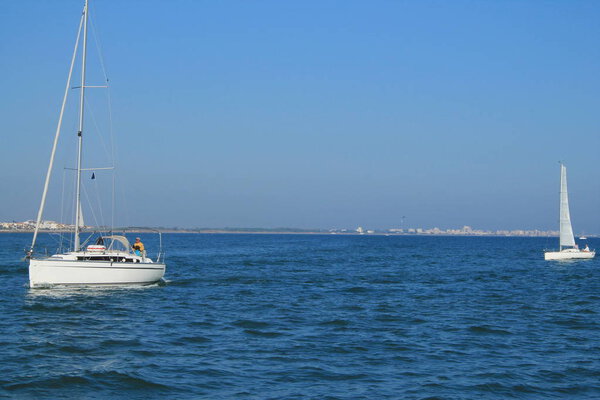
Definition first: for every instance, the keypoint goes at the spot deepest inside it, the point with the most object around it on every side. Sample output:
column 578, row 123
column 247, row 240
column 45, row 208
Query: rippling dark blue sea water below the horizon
column 311, row 316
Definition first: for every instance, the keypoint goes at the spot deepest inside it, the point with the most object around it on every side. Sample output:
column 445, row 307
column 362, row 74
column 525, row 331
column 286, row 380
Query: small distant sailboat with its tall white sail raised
column 568, row 248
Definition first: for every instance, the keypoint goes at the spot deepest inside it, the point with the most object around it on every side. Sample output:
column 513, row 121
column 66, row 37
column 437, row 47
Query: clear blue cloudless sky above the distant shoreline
column 318, row 113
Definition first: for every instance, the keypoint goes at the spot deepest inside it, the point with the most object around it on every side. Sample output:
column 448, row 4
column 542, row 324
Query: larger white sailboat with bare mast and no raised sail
column 110, row 260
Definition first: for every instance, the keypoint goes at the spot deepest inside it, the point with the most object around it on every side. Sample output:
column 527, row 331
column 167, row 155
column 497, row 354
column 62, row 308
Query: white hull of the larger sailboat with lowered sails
column 48, row 272
